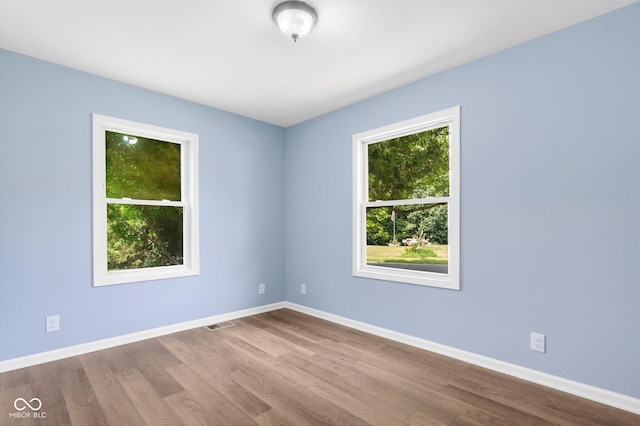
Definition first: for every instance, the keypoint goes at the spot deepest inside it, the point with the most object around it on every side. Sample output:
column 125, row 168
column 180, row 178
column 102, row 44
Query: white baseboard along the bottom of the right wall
column 593, row 393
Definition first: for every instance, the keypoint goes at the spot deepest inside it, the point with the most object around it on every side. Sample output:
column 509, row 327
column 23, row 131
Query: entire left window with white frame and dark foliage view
column 145, row 202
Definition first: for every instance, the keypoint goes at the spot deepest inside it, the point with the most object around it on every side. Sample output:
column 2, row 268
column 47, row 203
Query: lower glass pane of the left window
column 143, row 236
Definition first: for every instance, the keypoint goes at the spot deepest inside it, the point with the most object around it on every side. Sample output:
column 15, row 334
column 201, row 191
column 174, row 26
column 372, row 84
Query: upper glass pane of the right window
column 412, row 166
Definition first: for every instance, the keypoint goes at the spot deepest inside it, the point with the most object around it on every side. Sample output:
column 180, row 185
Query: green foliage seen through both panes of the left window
column 143, row 236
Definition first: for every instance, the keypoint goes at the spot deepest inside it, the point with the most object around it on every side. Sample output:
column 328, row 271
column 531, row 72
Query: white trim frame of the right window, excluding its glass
column 449, row 117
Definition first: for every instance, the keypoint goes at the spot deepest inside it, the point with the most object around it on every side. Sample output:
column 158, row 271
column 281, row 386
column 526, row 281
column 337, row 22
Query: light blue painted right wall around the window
column 550, row 157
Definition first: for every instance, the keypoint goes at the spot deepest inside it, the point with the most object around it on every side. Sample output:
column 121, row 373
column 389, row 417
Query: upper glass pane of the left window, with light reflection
column 142, row 168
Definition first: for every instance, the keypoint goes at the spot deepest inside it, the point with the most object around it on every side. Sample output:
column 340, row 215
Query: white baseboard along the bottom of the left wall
column 41, row 358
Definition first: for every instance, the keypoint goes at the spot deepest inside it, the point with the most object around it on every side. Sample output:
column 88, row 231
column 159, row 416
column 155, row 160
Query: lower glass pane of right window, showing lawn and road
column 409, row 237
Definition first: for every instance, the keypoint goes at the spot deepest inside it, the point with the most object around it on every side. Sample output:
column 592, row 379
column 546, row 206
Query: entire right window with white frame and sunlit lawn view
column 406, row 185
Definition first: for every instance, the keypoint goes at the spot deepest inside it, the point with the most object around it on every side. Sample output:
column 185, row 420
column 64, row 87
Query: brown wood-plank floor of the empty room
column 284, row 368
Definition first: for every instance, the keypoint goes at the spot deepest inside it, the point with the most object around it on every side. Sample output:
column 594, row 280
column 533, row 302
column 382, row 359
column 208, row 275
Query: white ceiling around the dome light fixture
column 229, row 54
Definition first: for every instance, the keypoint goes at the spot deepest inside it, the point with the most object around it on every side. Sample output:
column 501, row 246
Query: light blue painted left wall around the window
column 45, row 211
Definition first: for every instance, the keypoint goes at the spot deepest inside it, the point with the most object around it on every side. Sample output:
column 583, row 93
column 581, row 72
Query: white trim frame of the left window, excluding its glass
column 189, row 202
